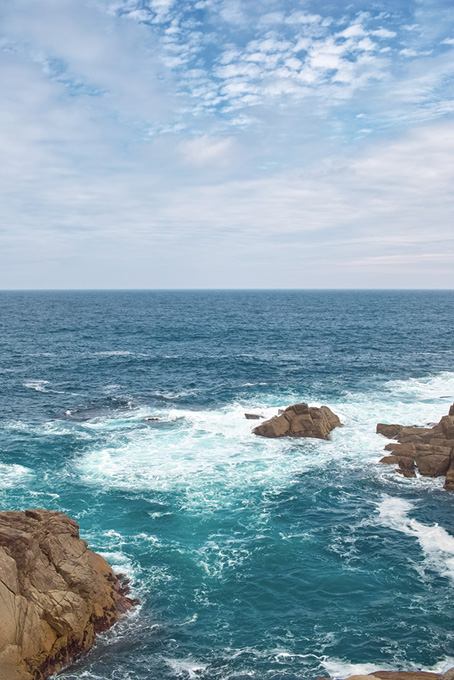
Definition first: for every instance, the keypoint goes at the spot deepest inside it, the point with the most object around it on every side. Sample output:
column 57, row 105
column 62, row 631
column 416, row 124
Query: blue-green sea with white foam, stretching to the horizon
column 252, row 558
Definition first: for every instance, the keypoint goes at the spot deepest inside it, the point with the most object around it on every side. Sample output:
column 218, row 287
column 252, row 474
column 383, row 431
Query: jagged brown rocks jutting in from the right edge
column 428, row 449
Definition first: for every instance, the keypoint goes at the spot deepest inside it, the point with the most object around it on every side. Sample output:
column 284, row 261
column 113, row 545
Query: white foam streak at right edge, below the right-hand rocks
column 437, row 545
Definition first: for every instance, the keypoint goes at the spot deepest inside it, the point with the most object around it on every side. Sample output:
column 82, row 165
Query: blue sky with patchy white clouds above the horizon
column 226, row 144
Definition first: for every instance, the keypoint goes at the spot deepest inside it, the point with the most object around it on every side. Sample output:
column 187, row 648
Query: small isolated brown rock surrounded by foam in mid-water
column 300, row 420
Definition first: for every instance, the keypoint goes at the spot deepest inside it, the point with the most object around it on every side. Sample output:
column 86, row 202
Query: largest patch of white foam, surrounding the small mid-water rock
column 211, row 455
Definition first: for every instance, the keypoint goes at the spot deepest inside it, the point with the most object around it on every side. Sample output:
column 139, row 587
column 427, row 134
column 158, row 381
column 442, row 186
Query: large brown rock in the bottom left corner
column 55, row 594
